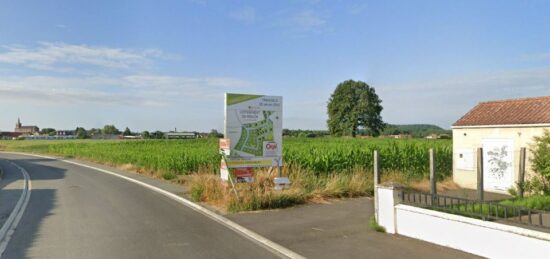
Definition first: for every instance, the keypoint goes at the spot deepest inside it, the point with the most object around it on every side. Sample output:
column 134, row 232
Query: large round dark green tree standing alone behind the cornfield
column 354, row 104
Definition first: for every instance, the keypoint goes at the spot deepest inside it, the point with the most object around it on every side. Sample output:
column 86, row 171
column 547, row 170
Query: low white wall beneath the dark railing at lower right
column 478, row 237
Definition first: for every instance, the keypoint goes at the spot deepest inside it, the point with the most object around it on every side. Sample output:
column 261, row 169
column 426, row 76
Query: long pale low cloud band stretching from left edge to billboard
column 134, row 89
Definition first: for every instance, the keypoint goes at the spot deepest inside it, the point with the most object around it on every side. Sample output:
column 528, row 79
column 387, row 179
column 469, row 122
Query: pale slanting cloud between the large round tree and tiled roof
column 445, row 101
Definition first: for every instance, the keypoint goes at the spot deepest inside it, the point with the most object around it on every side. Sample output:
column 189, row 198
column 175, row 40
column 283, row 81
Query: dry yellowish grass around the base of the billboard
column 306, row 187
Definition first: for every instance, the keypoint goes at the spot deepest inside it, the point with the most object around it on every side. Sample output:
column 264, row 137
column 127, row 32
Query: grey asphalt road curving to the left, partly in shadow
column 75, row 212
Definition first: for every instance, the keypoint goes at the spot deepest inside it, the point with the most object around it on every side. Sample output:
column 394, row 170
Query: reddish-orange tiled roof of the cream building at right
column 508, row 112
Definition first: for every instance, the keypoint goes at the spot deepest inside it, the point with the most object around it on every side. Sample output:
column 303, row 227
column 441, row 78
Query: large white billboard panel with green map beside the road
column 254, row 129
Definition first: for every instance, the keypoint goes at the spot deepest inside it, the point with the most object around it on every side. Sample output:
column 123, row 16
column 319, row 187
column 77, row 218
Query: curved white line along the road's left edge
column 8, row 229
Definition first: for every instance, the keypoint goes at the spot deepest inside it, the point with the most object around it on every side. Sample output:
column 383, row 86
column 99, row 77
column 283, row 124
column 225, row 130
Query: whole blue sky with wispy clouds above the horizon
column 151, row 65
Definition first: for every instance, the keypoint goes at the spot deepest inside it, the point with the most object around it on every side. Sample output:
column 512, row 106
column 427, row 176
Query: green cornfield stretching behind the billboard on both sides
column 320, row 155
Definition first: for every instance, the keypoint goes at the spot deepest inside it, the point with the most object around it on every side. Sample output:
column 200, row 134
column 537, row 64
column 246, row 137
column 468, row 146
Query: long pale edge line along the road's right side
column 249, row 234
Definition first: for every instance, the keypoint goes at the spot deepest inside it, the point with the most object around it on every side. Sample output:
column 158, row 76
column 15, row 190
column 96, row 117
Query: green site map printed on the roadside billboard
column 254, row 134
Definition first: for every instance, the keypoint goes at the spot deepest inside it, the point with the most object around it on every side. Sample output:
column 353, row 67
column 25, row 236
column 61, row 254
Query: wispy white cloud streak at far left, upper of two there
column 59, row 56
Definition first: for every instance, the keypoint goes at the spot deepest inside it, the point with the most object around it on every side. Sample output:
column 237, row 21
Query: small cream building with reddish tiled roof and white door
column 501, row 128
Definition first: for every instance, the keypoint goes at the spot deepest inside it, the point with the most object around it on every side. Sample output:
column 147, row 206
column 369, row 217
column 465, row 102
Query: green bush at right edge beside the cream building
column 540, row 164
